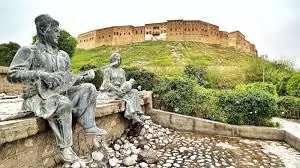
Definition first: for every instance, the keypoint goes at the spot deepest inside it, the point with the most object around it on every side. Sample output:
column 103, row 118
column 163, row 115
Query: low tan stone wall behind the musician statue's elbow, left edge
column 5, row 86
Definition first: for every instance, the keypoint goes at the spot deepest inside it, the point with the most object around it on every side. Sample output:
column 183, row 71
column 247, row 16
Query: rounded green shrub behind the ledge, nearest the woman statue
column 177, row 96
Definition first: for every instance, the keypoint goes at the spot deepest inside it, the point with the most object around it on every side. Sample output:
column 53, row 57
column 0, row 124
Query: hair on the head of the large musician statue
column 44, row 22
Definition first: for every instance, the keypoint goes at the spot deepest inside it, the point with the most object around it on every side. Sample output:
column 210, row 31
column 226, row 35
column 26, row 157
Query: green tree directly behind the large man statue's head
column 66, row 42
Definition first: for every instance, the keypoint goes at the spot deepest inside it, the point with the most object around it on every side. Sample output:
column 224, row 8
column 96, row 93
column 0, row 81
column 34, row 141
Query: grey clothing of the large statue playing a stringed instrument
column 58, row 108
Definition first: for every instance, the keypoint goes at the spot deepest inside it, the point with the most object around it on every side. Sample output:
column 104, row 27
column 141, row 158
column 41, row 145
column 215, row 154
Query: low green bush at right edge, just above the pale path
column 289, row 106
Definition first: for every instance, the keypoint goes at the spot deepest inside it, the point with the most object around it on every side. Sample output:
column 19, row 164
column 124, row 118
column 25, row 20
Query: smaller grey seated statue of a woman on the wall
column 115, row 87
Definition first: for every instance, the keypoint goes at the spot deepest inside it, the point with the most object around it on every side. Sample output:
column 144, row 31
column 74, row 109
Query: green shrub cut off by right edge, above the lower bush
column 293, row 85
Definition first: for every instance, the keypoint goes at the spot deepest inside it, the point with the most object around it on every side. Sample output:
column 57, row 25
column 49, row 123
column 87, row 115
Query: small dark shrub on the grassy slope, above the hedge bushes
column 197, row 73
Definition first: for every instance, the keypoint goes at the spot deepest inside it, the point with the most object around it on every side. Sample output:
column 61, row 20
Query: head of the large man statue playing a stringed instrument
column 47, row 29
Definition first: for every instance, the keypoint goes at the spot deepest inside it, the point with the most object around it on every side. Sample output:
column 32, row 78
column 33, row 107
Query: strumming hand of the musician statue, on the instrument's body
column 52, row 80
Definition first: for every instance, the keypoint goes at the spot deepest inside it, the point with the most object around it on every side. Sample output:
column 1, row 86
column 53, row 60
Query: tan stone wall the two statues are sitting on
column 29, row 142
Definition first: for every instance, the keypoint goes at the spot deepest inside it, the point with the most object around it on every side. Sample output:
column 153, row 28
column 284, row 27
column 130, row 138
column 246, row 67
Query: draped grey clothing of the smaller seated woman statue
column 114, row 78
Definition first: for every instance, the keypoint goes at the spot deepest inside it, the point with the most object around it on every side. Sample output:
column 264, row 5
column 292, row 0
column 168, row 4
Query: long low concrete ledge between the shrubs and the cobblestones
column 193, row 124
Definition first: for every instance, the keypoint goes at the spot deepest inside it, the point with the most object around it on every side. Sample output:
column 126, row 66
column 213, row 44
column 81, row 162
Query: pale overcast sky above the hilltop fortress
column 272, row 25
